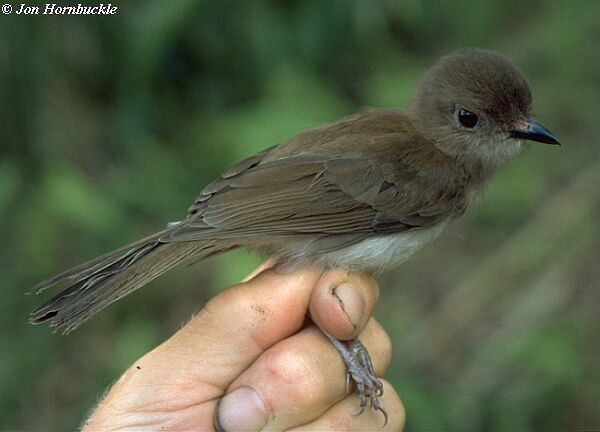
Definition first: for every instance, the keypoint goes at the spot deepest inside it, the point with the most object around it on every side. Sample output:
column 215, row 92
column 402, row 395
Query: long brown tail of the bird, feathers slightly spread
column 92, row 286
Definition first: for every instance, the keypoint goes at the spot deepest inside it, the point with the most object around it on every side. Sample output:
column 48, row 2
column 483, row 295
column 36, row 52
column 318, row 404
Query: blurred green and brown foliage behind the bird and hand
column 110, row 125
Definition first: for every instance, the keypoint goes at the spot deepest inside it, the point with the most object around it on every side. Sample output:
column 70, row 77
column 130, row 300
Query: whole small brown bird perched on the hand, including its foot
column 363, row 193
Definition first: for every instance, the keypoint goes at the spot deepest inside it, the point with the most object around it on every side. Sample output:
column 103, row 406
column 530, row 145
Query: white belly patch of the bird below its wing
column 382, row 252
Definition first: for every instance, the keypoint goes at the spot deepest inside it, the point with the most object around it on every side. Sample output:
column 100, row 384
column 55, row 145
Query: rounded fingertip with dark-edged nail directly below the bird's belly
column 342, row 303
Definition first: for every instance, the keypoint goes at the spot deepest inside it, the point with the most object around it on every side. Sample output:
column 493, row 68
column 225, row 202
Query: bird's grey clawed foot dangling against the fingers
column 360, row 371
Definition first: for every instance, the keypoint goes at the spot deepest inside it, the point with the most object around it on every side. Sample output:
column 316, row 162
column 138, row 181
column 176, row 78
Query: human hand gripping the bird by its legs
column 248, row 361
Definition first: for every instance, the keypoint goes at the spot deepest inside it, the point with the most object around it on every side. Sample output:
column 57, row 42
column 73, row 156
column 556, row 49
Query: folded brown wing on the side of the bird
column 316, row 194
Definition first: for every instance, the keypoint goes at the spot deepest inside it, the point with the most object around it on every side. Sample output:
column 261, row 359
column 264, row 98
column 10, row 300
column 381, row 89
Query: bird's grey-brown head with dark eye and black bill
column 475, row 105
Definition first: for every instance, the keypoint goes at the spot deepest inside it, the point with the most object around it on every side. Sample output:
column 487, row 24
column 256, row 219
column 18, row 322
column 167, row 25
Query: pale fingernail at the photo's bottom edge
column 242, row 409
